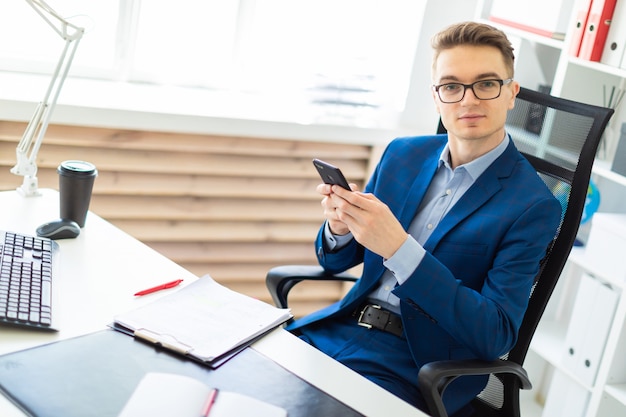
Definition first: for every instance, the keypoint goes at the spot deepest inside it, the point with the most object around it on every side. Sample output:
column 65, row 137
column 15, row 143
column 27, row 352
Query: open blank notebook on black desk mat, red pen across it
column 167, row 395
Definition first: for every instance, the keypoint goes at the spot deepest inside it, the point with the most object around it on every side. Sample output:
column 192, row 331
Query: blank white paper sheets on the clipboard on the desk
column 204, row 320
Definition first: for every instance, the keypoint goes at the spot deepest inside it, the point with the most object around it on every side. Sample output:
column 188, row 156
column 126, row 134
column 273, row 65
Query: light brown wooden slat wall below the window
column 229, row 206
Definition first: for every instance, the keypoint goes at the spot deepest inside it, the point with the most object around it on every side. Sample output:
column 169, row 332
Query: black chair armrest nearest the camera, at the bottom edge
column 434, row 377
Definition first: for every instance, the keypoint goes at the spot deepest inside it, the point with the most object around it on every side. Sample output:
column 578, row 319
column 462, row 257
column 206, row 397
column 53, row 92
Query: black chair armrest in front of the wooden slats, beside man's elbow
column 281, row 279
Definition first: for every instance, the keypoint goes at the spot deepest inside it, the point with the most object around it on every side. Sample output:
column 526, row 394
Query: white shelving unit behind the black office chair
column 559, row 389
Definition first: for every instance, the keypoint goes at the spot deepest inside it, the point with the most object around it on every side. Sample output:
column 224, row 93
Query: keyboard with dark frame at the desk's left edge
column 27, row 264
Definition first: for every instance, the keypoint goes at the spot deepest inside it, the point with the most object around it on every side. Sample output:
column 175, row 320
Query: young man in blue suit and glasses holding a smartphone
column 450, row 231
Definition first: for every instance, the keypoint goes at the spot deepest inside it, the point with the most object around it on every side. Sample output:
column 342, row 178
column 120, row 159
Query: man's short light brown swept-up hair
column 477, row 34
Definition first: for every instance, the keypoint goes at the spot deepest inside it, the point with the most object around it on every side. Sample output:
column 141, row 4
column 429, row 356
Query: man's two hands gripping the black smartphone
column 371, row 222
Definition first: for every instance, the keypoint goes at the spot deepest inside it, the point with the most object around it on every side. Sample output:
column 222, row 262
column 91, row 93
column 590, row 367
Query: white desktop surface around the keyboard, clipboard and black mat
column 104, row 267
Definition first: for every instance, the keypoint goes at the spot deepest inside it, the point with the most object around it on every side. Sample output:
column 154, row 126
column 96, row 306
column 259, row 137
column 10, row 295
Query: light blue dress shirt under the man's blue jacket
column 445, row 190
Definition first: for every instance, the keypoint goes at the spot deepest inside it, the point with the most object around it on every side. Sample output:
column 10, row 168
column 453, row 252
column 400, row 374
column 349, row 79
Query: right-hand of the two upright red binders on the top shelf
column 598, row 24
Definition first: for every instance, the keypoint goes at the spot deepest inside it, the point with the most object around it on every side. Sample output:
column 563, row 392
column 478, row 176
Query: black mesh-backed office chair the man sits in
column 560, row 138
